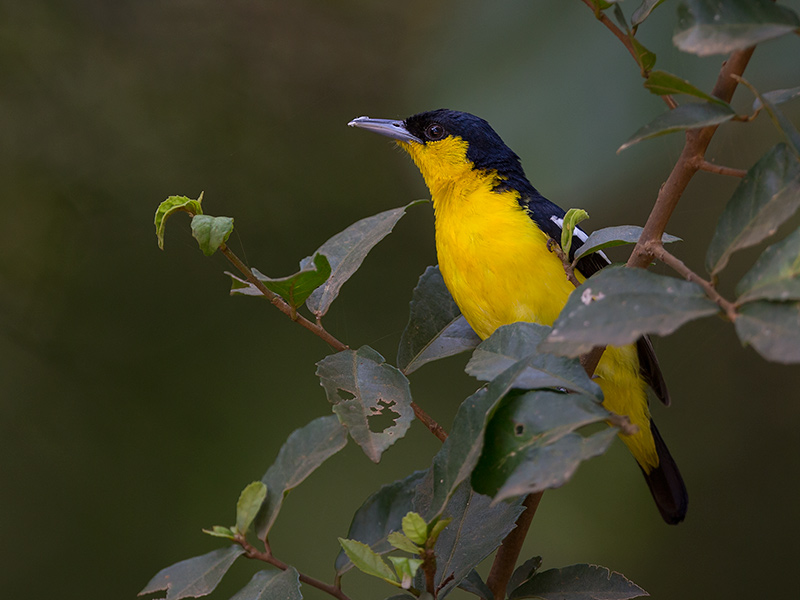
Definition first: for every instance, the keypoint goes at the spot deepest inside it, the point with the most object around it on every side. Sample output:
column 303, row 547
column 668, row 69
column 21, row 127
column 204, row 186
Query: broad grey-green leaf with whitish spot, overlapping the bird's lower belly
column 617, row 306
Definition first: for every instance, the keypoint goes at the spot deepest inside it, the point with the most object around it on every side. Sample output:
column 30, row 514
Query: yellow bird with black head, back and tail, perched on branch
column 494, row 232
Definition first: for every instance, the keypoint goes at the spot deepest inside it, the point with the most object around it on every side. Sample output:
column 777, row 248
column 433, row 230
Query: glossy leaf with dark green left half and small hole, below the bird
column 531, row 444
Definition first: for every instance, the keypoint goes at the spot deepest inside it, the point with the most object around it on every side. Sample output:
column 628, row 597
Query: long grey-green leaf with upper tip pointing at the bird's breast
column 347, row 250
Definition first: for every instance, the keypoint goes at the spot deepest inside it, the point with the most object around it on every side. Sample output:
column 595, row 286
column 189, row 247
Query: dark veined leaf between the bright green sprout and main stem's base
column 477, row 528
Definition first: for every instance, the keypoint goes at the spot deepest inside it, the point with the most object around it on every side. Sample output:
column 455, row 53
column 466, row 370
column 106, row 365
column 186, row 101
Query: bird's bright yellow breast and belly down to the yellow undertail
column 497, row 266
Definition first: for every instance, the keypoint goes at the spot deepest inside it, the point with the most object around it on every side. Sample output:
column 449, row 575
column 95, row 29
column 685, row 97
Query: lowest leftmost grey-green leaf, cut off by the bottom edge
column 194, row 577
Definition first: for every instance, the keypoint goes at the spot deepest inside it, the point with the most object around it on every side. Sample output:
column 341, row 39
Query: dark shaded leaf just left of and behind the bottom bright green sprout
column 380, row 515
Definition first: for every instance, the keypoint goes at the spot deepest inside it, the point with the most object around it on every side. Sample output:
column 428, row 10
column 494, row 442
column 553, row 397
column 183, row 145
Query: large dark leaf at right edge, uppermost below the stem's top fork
column 766, row 197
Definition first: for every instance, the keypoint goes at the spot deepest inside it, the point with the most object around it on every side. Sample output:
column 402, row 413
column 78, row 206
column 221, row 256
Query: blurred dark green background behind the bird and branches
column 138, row 398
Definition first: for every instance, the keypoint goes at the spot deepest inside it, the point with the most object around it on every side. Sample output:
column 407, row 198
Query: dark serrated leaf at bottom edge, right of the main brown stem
column 578, row 582
